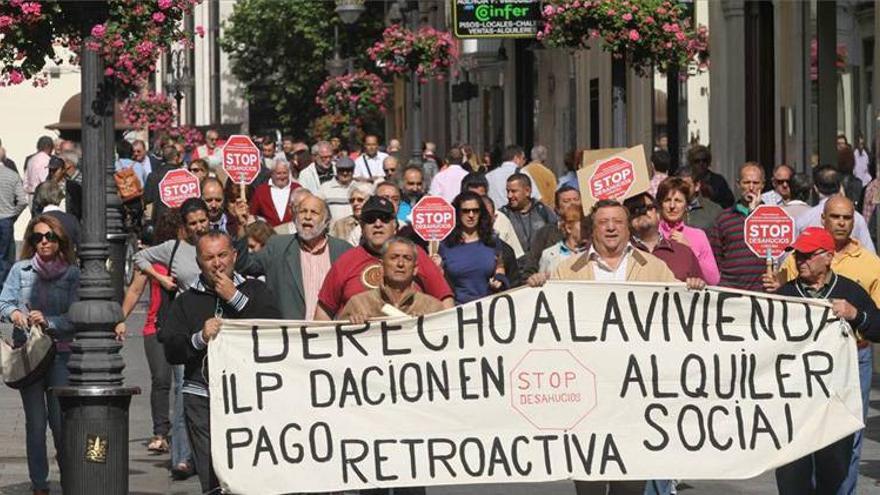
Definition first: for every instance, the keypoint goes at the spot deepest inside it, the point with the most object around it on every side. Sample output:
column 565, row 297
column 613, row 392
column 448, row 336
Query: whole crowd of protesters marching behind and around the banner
column 325, row 233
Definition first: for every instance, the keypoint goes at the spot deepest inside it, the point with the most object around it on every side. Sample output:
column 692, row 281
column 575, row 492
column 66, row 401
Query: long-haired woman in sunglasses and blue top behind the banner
column 470, row 256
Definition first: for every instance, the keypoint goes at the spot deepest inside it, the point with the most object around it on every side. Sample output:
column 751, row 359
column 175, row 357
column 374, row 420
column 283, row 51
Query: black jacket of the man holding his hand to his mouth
column 193, row 308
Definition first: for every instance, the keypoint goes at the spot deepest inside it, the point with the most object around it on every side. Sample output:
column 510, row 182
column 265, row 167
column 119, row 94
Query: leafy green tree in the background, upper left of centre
column 278, row 48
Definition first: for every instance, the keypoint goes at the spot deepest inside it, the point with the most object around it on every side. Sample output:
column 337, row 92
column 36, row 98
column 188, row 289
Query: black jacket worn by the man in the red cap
column 866, row 322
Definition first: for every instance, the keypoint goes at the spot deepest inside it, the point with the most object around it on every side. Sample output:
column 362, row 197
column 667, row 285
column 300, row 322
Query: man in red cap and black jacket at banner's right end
column 825, row 470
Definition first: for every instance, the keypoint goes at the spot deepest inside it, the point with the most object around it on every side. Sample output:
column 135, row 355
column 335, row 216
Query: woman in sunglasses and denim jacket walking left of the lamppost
column 39, row 291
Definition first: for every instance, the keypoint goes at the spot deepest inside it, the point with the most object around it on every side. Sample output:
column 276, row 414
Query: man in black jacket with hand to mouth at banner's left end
column 194, row 320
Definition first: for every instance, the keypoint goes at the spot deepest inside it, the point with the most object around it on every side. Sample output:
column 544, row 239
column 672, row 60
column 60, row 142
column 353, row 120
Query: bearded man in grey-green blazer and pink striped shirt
column 295, row 265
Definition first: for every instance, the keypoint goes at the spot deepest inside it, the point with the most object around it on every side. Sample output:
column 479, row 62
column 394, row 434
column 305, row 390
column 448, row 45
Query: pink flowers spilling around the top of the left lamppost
column 129, row 42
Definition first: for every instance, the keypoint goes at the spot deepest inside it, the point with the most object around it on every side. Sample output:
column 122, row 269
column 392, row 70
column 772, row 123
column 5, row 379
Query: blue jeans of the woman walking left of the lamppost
column 42, row 407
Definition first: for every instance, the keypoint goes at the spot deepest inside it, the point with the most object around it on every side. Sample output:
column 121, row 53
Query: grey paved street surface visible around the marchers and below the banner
column 149, row 474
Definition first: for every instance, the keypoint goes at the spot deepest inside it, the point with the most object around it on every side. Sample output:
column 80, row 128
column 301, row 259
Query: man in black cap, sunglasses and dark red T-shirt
column 359, row 269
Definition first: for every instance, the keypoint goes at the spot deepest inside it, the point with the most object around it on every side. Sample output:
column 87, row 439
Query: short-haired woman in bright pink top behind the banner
column 673, row 196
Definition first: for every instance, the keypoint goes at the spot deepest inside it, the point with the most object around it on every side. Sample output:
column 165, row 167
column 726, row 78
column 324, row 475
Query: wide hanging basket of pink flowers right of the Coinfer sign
column 650, row 34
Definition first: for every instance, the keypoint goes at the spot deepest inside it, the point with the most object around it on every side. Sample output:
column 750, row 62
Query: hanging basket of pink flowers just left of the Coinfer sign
column 424, row 54
